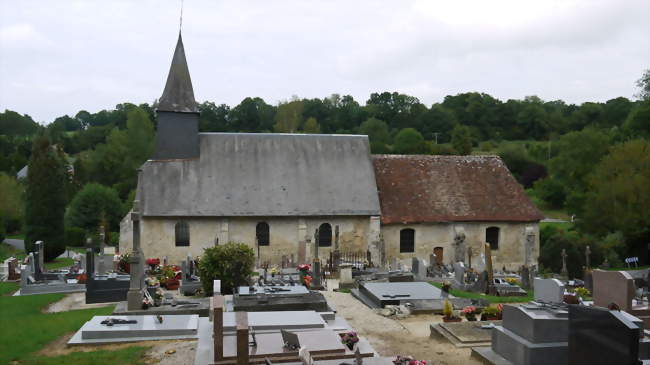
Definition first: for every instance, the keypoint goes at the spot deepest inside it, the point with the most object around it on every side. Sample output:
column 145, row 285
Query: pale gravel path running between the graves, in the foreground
column 409, row 336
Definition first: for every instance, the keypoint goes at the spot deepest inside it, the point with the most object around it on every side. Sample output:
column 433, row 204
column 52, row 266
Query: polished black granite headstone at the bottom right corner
column 598, row 336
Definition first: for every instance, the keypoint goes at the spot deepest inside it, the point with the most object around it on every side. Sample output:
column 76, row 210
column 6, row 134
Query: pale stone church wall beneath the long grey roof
column 286, row 235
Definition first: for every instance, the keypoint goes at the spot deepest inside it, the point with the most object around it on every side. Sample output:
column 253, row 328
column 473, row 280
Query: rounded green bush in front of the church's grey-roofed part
column 231, row 263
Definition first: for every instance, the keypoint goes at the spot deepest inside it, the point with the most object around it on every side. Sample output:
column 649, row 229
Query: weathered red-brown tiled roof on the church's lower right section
column 421, row 188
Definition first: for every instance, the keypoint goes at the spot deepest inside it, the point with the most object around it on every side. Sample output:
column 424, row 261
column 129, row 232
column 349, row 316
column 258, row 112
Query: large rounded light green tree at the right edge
column 618, row 194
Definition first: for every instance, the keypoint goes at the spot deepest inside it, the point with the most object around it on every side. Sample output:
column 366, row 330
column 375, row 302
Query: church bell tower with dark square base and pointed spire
column 177, row 113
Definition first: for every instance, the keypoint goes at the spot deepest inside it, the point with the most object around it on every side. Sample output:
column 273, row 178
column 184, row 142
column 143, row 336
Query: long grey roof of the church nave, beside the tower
column 249, row 174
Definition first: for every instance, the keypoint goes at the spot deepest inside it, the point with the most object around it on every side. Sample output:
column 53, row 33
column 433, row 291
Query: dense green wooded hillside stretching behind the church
column 589, row 161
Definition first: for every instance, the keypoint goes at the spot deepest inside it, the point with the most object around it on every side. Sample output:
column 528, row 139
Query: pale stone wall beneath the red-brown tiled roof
column 512, row 239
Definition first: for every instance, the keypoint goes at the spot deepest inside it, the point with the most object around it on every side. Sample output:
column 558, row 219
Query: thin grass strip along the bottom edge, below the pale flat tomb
column 127, row 356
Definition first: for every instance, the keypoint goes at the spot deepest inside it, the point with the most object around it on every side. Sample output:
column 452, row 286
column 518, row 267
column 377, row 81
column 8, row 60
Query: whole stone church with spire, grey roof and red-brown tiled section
column 273, row 191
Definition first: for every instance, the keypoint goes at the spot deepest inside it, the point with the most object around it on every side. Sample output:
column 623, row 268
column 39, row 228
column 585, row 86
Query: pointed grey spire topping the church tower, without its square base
column 178, row 95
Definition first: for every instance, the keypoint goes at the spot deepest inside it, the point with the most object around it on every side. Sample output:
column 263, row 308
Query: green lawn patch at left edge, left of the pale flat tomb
column 31, row 329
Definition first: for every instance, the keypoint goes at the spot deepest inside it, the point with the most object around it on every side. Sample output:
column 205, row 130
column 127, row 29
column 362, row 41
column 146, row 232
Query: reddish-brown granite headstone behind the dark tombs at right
column 613, row 287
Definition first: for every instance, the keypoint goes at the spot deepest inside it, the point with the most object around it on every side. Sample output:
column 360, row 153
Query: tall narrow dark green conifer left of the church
column 46, row 199
